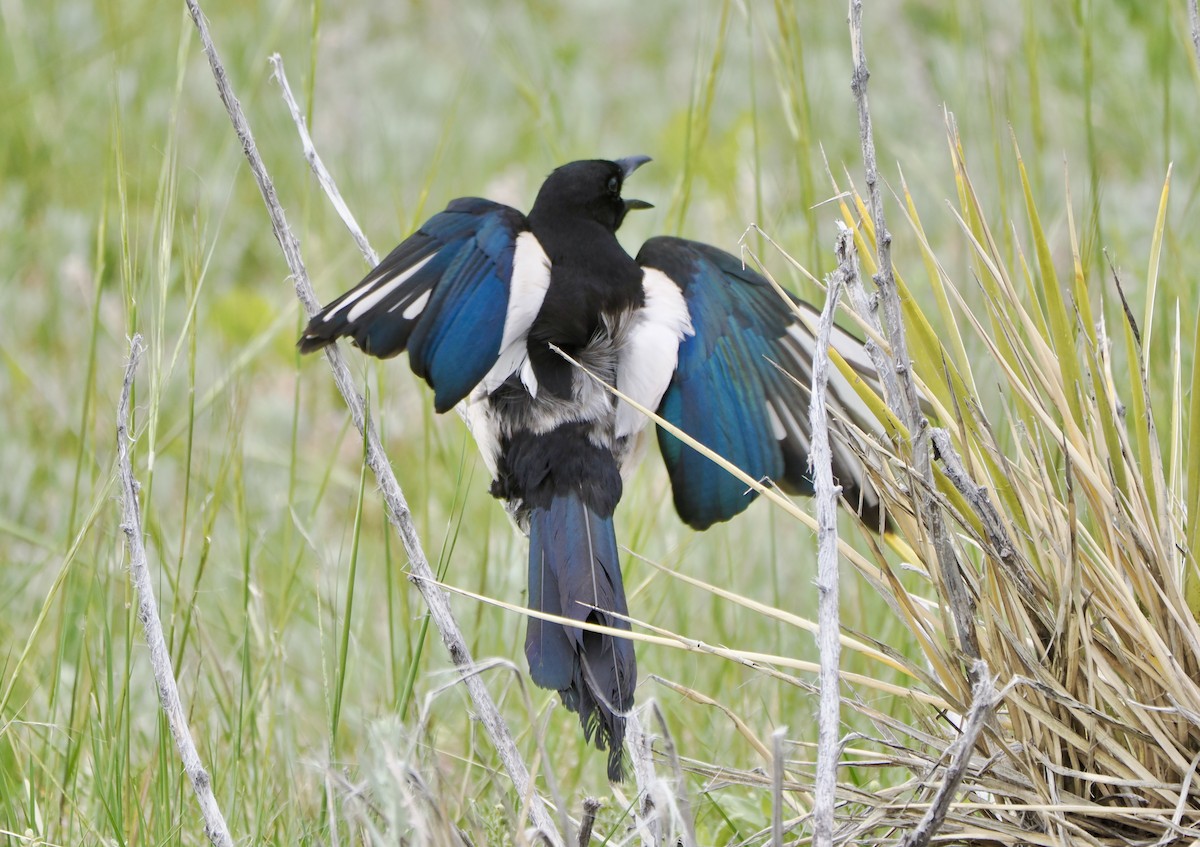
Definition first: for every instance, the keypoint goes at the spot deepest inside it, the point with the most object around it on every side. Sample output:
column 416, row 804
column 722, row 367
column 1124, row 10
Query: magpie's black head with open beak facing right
column 591, row 190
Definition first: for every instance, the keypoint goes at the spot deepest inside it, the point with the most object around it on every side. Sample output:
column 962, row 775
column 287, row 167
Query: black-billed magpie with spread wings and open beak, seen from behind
column 482, row 296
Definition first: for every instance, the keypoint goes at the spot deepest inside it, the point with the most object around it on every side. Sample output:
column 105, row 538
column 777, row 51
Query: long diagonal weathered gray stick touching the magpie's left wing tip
column 421, row 573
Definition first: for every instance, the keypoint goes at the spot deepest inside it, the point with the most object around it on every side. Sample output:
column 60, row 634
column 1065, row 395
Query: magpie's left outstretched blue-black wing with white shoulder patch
column 460, row 296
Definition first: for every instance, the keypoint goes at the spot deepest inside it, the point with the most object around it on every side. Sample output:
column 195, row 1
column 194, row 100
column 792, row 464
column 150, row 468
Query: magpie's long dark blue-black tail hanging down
column 575, row 573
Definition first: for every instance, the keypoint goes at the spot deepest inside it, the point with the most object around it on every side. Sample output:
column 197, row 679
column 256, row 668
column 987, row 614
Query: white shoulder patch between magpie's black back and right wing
column 650, row 357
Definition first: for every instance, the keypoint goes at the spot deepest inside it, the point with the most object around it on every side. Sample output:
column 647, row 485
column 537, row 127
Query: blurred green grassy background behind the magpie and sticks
column 127, row 207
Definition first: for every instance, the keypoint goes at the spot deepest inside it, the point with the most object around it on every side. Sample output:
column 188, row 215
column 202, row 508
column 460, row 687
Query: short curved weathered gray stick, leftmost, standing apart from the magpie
column 148, row 614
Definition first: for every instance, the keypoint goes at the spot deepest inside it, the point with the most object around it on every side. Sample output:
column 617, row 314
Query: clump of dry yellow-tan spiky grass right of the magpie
column 1075, row 519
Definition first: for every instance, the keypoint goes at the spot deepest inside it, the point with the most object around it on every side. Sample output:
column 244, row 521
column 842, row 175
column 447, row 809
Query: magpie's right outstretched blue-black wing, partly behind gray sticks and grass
column 741, row 388
